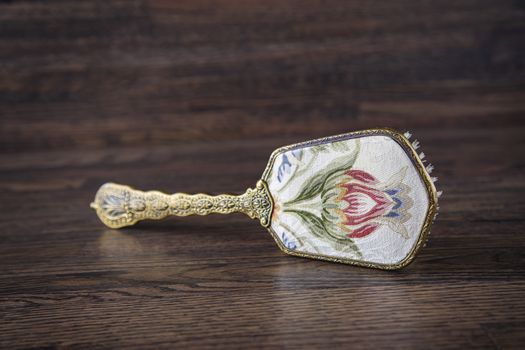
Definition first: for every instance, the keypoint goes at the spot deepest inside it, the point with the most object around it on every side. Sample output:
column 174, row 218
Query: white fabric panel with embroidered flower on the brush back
column 360, row 199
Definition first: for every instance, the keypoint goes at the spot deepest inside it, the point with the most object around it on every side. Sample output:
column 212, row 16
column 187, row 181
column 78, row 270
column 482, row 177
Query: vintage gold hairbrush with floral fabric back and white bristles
column 363, row 198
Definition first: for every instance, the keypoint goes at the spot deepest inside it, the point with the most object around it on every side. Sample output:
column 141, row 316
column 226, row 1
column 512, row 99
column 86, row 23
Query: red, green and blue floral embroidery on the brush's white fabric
column 354, row 203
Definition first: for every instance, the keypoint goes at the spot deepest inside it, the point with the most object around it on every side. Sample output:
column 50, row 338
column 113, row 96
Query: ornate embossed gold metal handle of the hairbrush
column 119, row 205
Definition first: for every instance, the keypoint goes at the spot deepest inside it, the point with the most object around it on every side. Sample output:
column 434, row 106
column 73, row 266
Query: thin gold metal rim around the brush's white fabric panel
column 411, row 152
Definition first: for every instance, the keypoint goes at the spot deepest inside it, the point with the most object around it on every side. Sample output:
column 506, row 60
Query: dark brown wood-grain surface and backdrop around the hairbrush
column 193, row 96
